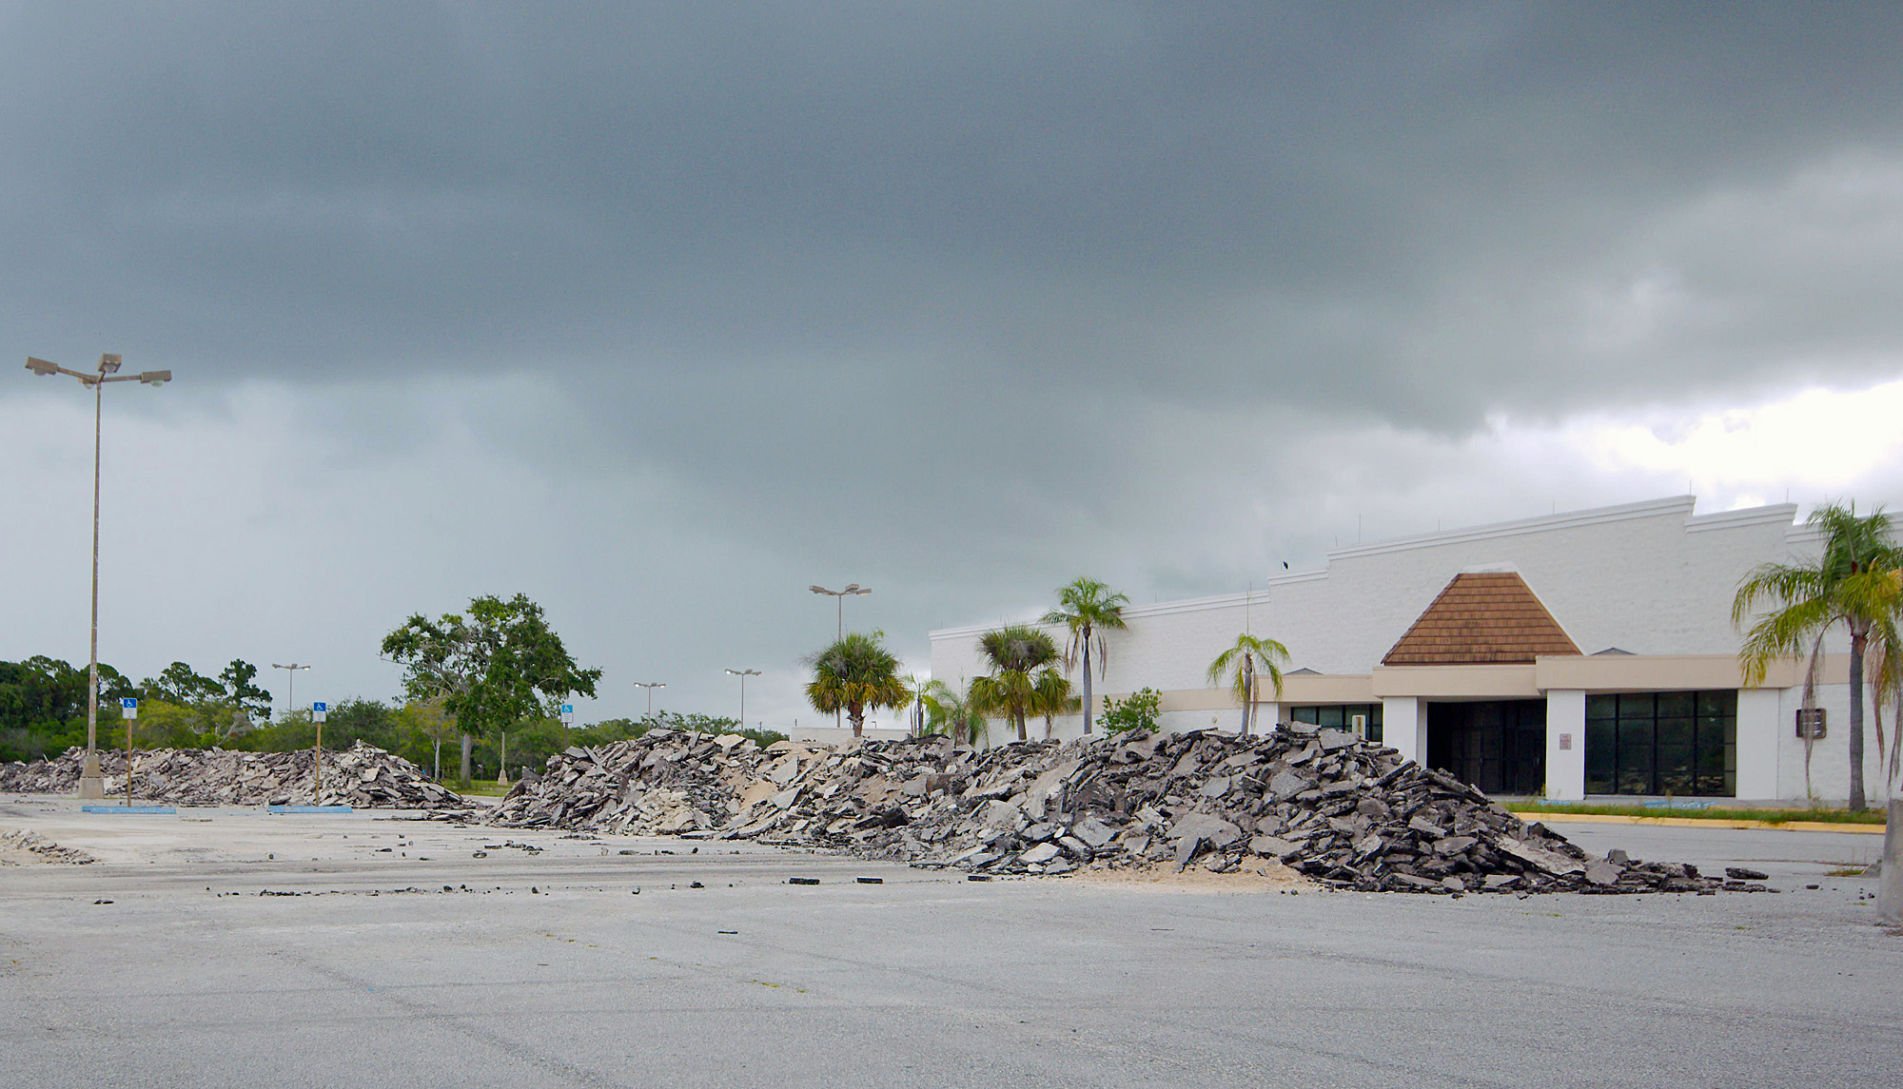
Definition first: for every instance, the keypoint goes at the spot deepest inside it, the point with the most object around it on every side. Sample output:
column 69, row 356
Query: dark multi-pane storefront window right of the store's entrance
column 1681, row 743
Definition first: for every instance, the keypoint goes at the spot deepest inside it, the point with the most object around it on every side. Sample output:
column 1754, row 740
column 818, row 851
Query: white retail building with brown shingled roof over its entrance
column 1588, row 654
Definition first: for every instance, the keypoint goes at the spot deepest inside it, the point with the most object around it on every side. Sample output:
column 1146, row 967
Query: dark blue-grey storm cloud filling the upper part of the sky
column 1215, row 203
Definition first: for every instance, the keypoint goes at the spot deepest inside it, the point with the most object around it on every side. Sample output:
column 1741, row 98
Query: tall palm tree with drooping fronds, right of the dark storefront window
column 1858, row 584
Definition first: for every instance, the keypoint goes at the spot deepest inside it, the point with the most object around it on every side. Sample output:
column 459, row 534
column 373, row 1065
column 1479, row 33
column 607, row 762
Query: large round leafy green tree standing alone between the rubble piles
column 494, row 667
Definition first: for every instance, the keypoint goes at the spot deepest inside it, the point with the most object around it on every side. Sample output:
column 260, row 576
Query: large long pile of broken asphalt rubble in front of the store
column 1327, row 804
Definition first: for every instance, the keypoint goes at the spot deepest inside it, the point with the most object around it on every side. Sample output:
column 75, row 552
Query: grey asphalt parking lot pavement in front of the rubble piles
column 231, row 947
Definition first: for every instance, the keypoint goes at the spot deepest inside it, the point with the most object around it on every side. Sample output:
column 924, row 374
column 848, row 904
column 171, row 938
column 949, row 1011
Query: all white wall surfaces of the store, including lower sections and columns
column 1649, row 578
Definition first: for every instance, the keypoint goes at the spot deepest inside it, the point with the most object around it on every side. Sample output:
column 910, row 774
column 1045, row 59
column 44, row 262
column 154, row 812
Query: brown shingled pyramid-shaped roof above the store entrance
column 1481, row 618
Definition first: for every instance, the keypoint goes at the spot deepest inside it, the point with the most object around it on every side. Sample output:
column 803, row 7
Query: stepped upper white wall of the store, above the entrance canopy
column 1647, row 578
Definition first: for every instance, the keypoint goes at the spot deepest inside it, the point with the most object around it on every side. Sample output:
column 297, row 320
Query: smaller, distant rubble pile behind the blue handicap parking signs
column 363, row 776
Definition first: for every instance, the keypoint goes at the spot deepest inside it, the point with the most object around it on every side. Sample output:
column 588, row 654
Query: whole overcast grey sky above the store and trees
column 663, row 313
